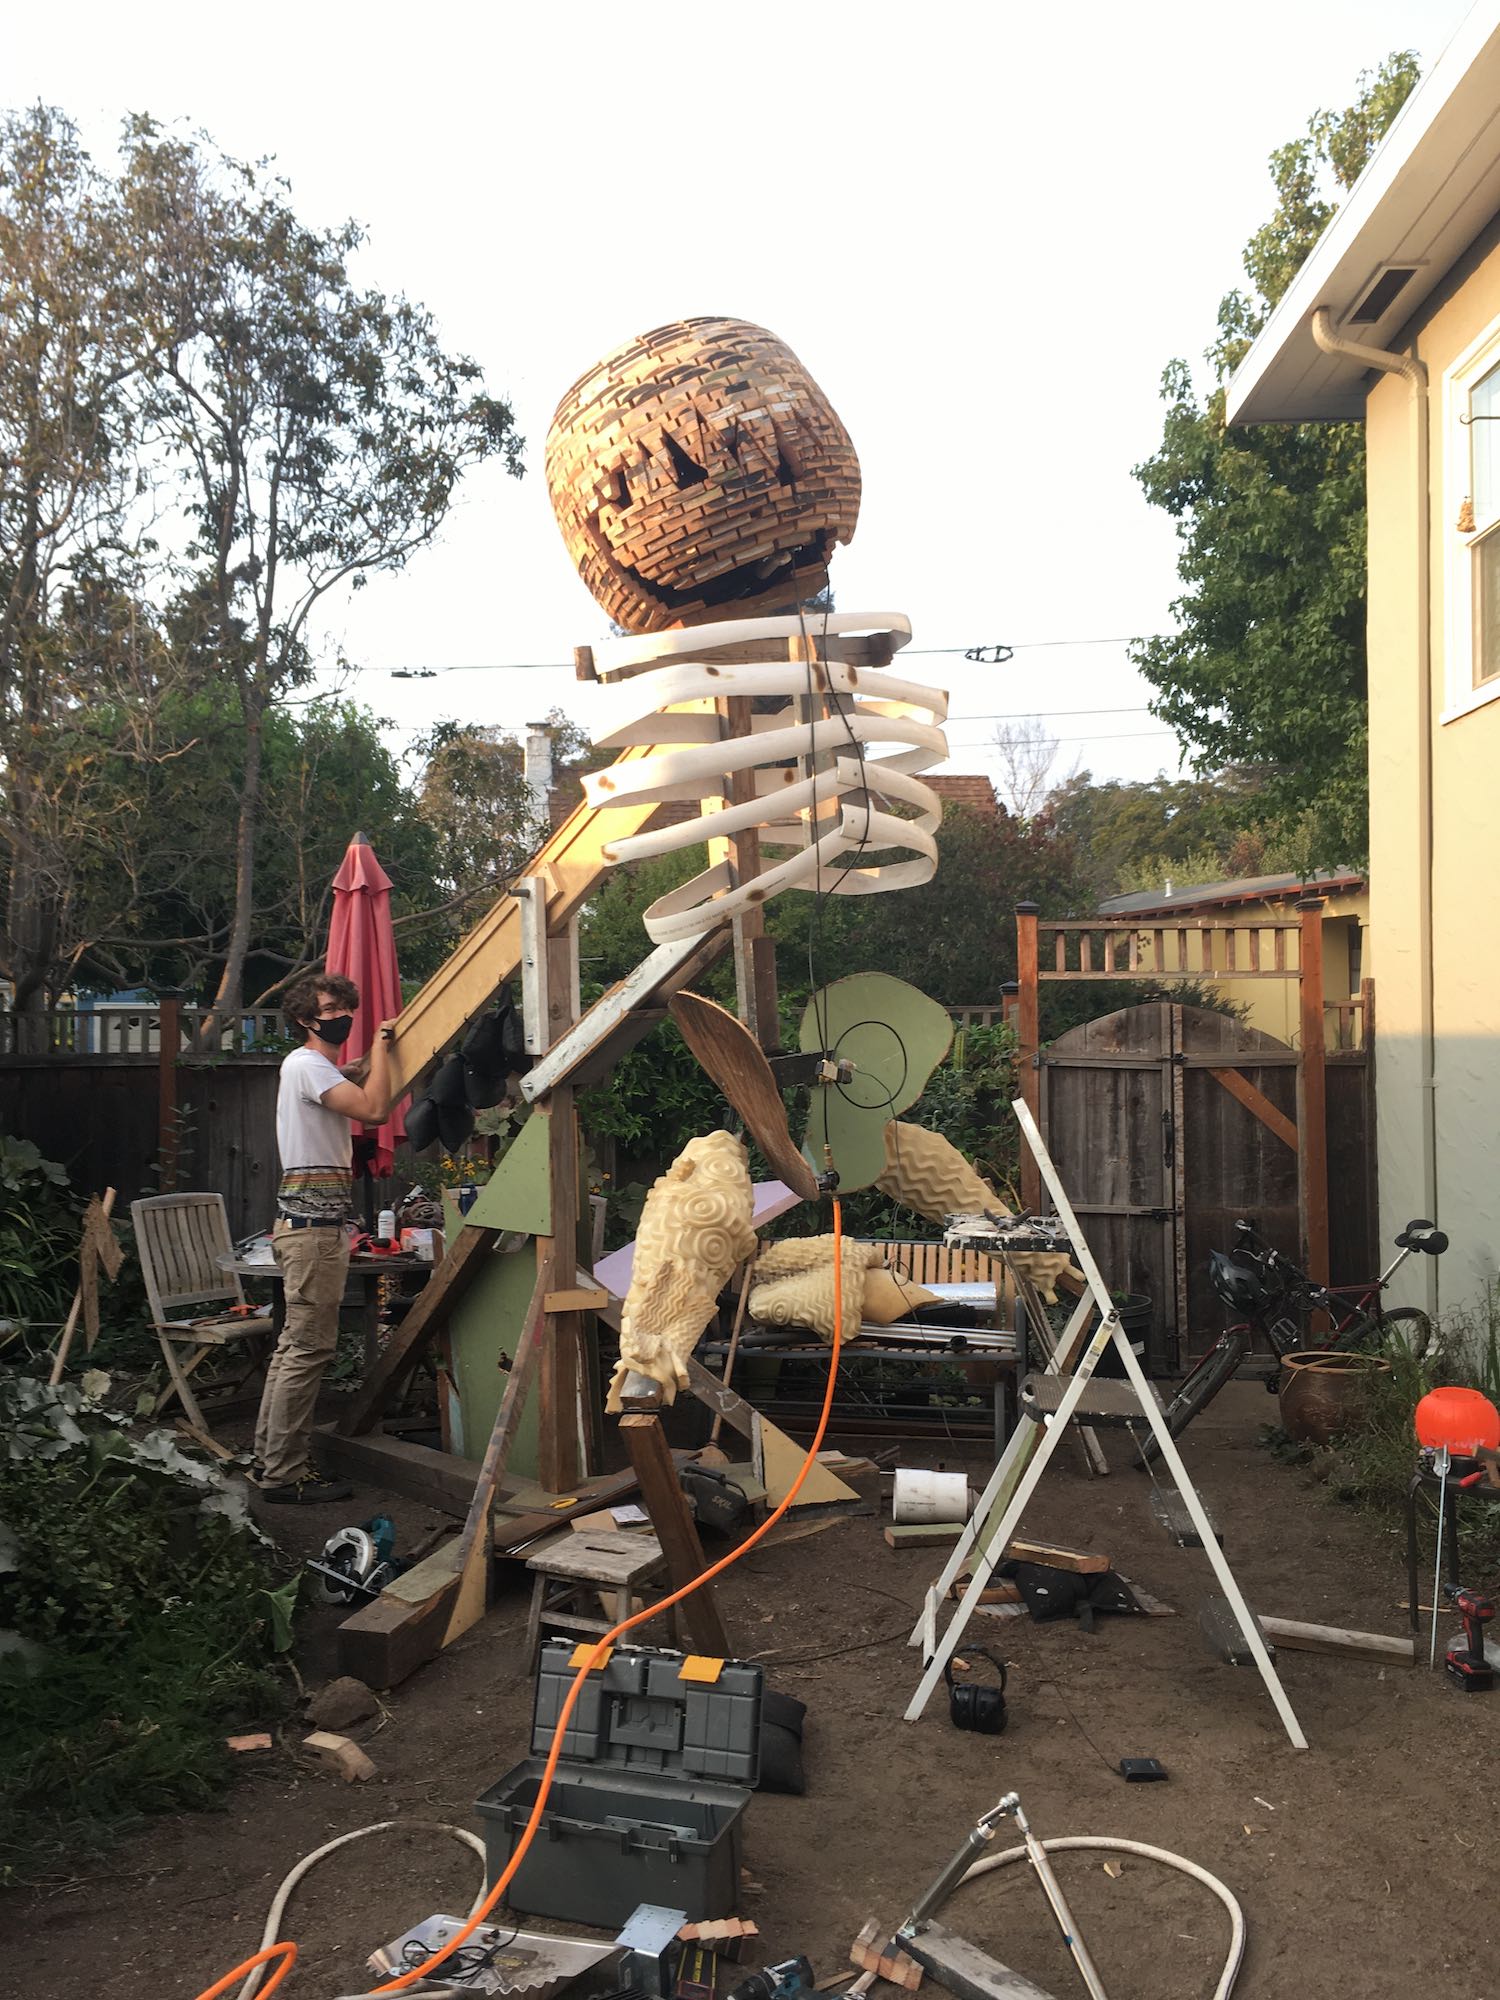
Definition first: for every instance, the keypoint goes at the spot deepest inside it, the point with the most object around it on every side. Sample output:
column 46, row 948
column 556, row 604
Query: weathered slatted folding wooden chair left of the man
column 187, row 1261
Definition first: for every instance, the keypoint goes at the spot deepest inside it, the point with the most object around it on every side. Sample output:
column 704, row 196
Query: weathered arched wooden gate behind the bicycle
column 1169, row 1123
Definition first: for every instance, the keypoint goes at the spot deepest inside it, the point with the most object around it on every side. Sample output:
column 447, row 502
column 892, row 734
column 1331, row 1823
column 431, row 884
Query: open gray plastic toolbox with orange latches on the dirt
column 649, row 1797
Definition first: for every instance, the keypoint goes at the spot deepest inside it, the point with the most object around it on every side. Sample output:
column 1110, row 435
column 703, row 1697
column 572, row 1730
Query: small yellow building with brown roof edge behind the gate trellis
column 1271, row 1005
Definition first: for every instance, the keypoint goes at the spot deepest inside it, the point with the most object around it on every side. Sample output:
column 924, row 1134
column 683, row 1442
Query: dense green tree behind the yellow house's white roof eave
column 1267, row 665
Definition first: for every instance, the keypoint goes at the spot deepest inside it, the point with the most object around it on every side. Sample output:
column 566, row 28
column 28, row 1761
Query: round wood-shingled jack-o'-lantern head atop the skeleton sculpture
column 701, row 471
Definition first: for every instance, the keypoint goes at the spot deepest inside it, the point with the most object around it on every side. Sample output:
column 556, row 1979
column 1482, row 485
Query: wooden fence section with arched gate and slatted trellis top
column 1169, row 1121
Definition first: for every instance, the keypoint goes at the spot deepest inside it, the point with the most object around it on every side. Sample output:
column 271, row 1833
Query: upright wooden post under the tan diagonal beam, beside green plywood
column 557, row 1403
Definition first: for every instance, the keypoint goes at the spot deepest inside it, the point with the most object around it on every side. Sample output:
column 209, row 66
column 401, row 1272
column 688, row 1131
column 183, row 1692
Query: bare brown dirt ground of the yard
column 1363, row 1865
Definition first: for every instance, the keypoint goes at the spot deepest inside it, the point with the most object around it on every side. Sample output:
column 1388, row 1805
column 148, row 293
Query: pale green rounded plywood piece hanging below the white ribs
column 895, row 1037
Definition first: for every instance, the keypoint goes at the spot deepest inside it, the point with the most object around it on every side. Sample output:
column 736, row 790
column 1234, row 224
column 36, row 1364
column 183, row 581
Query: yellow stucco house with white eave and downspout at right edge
column 1397, row 319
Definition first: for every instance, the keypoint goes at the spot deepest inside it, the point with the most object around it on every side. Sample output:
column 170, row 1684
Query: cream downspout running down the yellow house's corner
column 1417, row 381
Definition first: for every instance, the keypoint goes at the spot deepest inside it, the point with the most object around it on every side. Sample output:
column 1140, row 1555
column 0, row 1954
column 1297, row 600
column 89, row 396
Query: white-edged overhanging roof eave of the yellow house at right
column 1429, row 189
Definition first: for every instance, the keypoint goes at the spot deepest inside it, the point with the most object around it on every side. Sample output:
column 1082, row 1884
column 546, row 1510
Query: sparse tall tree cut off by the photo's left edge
column 67, row 419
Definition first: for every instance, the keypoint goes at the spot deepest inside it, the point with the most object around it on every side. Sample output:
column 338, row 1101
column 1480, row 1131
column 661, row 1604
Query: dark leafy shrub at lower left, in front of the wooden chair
column 141, row 1617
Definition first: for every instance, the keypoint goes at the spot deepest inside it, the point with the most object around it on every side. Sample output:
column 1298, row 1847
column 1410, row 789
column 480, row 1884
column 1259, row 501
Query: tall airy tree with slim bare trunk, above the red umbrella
column 317, row 431
